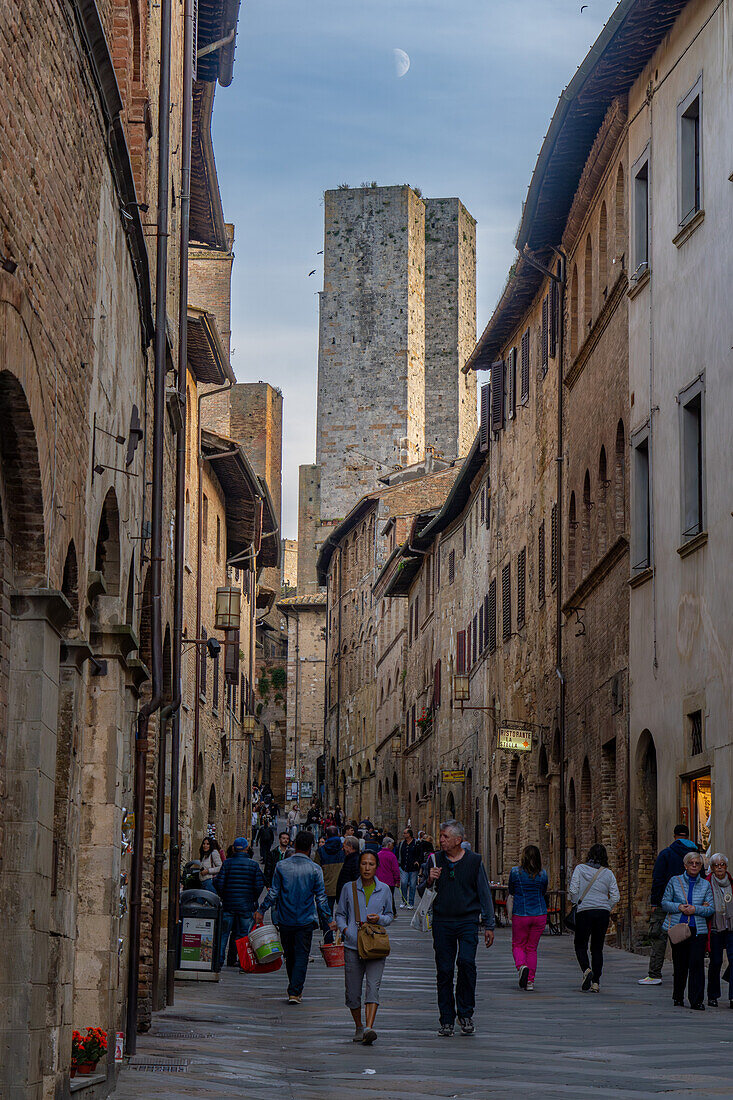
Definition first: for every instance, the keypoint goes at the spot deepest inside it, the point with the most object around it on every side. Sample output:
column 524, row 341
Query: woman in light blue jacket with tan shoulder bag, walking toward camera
column 364, row 909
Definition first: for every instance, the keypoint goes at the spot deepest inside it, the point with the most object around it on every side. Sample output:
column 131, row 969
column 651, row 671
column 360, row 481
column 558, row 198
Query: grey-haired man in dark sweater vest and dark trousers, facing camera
column 463, row 897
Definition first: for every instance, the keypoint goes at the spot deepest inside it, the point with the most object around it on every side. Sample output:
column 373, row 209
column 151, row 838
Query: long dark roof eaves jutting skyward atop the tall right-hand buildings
column 614, row 63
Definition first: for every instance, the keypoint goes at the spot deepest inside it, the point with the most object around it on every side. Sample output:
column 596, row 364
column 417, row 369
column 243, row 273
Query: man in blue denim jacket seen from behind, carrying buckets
column 299, row 892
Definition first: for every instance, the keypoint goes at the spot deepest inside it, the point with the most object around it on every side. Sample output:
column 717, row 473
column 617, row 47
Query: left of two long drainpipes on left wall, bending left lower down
column 157, row 518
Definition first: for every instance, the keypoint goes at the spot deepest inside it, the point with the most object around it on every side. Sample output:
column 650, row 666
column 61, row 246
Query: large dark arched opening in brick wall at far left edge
column 21, row 494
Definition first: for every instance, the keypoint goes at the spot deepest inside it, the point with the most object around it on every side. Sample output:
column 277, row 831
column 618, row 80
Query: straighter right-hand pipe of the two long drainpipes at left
column 174, row 854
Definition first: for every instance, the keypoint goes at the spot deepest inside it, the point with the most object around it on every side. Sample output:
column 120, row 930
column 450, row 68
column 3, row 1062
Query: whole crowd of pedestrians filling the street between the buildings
column 348, row 879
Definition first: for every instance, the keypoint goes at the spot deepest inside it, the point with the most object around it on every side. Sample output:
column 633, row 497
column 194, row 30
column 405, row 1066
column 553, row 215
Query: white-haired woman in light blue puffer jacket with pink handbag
column 688, row 903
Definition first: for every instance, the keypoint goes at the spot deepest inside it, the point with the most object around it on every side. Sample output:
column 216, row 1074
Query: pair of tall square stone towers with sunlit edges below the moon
column 398, row 322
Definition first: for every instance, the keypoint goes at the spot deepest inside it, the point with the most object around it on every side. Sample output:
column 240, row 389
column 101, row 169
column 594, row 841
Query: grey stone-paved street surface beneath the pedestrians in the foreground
column 240, row 1039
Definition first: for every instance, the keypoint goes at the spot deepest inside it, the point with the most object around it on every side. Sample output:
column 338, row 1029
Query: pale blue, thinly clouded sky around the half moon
column 316, row 102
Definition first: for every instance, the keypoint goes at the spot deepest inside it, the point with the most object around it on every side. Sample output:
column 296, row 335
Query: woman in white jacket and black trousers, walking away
column 595, row 890
